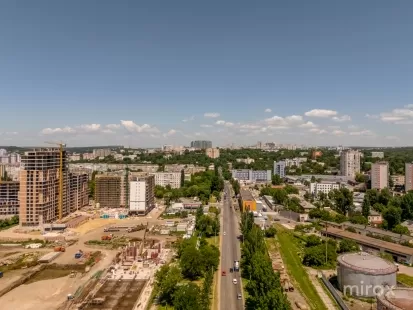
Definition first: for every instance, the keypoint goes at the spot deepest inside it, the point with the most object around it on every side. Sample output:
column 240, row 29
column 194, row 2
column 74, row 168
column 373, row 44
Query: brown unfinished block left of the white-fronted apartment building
column 108, row 191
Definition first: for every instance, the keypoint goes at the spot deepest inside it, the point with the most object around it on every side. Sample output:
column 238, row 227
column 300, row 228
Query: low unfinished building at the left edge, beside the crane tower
column 9, row 198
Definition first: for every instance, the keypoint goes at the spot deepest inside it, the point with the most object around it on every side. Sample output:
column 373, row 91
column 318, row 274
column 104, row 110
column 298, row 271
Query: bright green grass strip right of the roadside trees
column 289, row 252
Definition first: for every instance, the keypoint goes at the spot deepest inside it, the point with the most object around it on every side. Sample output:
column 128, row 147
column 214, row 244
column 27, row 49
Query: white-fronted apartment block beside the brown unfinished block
column 142, row 194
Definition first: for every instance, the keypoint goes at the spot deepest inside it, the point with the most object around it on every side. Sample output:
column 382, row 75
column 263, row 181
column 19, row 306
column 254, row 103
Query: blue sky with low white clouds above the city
column 148, row 73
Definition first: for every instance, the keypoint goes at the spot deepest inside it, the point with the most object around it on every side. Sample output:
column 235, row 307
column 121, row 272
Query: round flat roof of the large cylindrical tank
column 367, row 263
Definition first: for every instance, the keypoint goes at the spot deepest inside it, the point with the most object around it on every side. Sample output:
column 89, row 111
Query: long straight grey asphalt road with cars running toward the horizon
column 230, row 251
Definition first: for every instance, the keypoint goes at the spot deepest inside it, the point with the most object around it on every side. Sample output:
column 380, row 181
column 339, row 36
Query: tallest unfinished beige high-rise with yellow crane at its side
column 39, row 187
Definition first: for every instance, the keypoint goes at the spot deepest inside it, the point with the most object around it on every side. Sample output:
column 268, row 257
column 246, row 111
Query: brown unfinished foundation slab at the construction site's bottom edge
column 119, row 295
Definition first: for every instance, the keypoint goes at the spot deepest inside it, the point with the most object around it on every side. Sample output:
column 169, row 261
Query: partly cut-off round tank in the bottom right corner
column 398, row 298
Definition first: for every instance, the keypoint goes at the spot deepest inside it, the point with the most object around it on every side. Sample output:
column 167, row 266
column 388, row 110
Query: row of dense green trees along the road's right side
column 264, row 288
